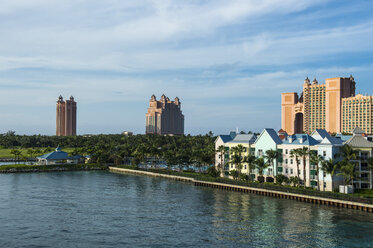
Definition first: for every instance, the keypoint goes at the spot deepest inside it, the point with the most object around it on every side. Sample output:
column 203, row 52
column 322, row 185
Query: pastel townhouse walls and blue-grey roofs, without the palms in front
column 319, row 142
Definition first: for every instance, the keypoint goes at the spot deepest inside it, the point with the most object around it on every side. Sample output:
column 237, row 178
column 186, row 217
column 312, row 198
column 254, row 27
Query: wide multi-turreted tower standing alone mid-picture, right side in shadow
column 164, row 116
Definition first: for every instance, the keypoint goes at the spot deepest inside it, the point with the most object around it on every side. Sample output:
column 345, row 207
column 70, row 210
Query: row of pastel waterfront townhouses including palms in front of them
column 305, row 159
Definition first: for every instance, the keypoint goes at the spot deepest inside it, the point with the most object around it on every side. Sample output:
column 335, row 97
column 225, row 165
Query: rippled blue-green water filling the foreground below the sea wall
column 103, row 209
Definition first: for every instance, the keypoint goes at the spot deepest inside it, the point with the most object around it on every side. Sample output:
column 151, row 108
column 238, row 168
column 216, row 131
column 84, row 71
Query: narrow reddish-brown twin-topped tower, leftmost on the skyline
column 66, row 117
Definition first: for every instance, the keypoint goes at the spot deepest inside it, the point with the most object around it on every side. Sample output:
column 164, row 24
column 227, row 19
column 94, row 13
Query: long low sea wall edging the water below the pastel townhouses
column 272, row 193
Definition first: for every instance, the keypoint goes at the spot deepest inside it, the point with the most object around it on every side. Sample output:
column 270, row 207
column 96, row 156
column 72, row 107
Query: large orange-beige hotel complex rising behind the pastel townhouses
column 332, row 106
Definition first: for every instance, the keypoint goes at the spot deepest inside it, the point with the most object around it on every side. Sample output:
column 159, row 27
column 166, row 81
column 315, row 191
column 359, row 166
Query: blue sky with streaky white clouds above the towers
column 228, row 61
